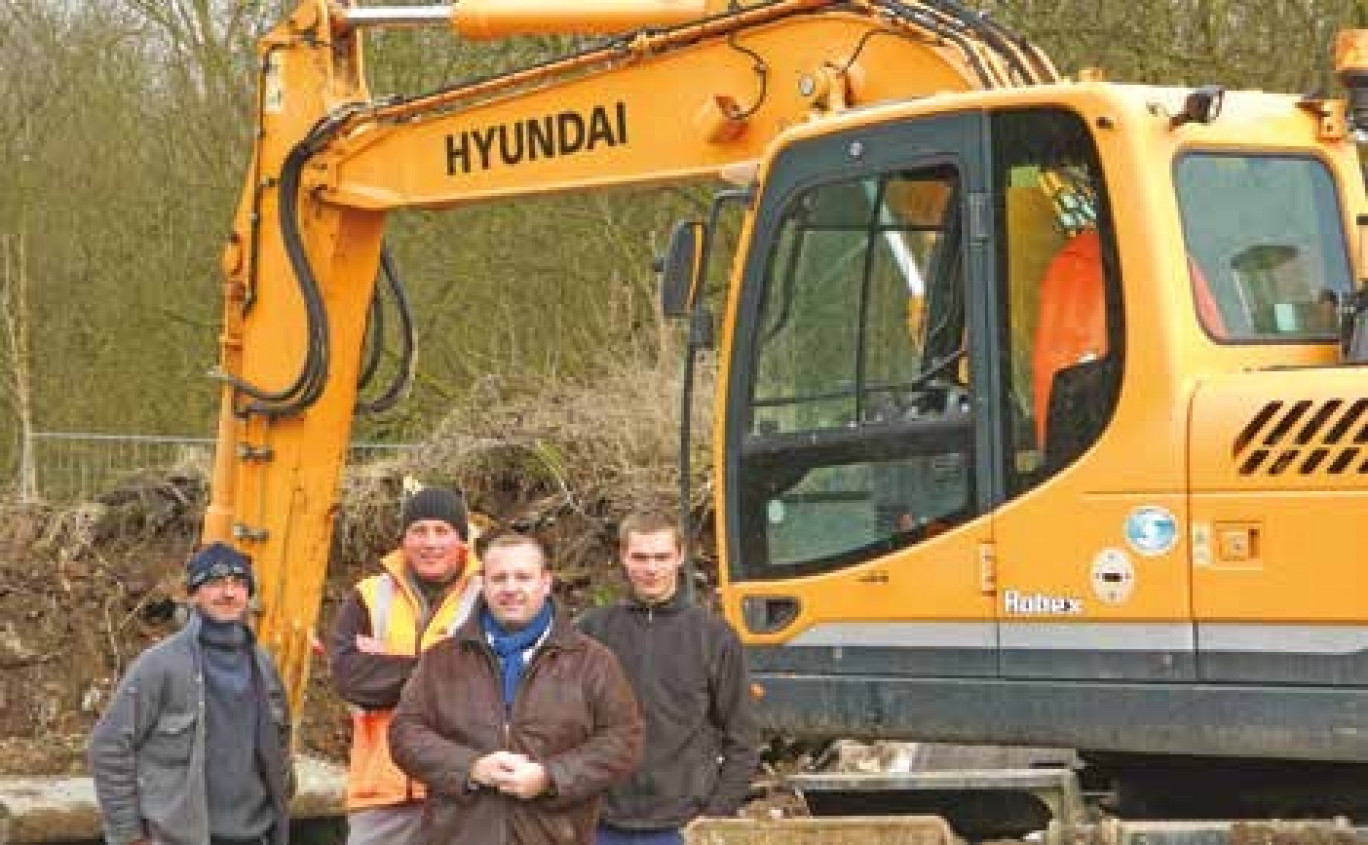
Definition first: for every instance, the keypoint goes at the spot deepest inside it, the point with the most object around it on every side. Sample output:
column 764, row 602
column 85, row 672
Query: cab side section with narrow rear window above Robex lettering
column 1092, row 580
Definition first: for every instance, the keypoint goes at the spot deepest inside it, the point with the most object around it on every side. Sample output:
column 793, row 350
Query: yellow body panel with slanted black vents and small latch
column 1280, row 477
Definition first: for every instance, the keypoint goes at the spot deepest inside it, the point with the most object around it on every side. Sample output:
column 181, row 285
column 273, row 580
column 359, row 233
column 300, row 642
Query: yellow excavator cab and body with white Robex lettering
column 1034, row 426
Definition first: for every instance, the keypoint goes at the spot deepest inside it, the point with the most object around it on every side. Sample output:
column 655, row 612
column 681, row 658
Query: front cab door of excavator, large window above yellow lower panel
column 856, row 511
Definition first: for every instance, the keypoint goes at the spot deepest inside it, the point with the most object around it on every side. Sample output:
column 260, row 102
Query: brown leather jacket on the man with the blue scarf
column 574, row 713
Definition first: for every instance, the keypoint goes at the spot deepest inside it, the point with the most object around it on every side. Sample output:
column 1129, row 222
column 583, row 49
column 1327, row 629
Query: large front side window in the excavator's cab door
column 858, row 431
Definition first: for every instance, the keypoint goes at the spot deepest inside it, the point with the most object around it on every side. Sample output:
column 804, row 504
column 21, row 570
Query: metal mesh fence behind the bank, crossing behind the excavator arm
column 76, row 467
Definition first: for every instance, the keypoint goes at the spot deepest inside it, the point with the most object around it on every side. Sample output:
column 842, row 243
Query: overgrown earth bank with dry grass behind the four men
column 84, row 589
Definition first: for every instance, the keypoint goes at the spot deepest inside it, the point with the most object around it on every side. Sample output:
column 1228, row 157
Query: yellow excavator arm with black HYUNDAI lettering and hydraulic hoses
column 682, row 96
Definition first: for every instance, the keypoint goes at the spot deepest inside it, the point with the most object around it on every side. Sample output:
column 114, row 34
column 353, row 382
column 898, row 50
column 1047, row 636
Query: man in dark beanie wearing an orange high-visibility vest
column 425, row 590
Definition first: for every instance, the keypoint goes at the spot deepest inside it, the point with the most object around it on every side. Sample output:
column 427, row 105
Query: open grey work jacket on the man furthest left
column 147, row 751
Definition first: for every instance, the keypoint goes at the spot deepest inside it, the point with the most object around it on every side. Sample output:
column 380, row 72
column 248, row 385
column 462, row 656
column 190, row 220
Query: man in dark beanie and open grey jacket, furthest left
column 195, row 747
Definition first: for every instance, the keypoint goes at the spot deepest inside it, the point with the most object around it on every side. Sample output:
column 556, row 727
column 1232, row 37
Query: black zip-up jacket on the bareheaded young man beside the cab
column 702, row 746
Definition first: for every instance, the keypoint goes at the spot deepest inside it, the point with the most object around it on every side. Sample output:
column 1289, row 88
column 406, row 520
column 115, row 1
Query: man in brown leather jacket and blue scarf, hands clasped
column 518, row 724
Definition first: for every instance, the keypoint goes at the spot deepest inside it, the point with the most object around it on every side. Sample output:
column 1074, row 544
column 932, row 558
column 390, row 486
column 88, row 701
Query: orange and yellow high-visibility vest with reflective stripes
column 373, row 779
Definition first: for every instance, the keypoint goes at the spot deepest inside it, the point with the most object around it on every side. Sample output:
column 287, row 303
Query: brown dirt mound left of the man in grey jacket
column 83, row 591
